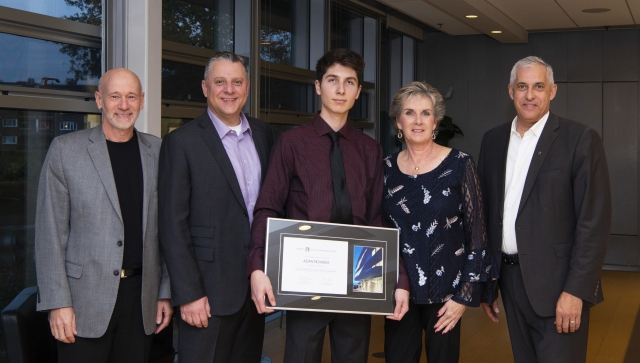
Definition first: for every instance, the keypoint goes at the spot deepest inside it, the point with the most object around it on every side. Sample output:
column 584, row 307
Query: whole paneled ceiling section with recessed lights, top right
column 515, row 18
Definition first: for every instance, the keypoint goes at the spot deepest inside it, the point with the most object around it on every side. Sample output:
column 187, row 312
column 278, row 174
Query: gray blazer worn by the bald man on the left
column 79, row 224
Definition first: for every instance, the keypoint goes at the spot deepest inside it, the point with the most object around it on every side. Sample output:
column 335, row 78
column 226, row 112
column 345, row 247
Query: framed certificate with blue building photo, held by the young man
column 331, row 267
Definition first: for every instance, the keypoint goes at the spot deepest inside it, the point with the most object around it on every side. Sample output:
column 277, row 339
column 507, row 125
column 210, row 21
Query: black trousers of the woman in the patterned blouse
column 403, row 339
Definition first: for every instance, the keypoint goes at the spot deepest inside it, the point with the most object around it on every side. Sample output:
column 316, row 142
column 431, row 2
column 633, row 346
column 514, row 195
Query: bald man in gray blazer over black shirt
column 100, row 272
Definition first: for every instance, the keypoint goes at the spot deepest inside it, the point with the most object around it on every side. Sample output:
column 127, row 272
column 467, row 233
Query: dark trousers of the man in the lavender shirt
column 229, row 338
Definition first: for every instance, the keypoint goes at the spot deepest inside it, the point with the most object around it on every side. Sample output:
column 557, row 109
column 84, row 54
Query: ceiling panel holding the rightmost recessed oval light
column 619, row 14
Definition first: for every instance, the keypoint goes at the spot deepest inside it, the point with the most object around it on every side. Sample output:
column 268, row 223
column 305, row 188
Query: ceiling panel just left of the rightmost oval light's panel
column 530, row 15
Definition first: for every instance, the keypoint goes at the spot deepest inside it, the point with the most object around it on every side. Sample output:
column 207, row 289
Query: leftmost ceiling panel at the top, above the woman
column 430, row 15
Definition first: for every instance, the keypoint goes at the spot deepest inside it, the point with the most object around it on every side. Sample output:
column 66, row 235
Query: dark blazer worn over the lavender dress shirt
column 203, row 221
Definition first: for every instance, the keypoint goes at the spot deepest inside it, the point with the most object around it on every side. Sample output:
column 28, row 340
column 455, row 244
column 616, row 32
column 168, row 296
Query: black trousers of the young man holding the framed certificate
column 349, row 335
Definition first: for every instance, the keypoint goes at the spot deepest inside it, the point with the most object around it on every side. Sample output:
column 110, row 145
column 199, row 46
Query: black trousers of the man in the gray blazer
column 124, row 341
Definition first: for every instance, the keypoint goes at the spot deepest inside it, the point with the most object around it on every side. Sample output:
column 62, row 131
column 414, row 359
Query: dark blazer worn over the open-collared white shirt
column 564, row 215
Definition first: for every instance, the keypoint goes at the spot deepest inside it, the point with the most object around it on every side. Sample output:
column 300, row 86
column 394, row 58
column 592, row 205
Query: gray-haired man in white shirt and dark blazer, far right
column 547, row 199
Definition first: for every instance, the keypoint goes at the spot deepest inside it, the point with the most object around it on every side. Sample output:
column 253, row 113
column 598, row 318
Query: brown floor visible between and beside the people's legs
column 614, row 334
